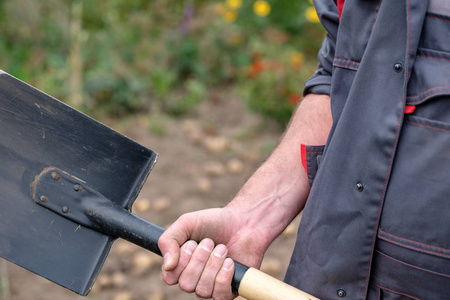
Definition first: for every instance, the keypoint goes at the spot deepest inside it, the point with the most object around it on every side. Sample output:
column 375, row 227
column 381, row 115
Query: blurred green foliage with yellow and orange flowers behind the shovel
column 123, row 57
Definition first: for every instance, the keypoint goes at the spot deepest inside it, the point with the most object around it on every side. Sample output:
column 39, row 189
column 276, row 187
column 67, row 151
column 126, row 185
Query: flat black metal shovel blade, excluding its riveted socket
column 38, row 132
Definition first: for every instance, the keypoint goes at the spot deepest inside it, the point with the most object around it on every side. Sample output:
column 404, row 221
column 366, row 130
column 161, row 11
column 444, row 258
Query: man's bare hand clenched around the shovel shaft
column 204, row 268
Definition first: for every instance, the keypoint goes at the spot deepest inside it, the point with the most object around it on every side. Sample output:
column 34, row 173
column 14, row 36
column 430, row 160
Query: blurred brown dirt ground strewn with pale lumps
column 204, row 159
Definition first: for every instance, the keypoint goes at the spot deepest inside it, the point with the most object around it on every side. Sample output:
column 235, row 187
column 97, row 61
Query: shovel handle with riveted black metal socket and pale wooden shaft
column 71, row 198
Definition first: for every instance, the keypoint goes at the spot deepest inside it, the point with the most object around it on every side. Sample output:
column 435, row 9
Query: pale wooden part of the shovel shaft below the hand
column 256, row 285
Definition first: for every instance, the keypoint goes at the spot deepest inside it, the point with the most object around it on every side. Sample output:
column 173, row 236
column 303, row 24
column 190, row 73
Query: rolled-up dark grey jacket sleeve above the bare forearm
column 320, row 82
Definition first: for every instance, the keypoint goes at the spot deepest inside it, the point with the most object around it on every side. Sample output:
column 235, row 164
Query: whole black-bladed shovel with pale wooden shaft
column 67, row 184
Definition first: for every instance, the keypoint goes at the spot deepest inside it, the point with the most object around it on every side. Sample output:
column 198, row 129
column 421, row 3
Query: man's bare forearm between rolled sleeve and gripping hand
column 278, row 190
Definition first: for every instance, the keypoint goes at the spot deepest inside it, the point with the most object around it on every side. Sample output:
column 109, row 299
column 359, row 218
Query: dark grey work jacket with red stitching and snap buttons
column 377, row 221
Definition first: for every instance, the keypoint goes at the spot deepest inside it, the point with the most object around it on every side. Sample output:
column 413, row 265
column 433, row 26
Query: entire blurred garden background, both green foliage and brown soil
column 209, row 85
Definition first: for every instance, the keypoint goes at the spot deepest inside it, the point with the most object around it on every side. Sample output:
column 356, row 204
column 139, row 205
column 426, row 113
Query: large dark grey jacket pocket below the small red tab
column 417, row 204
